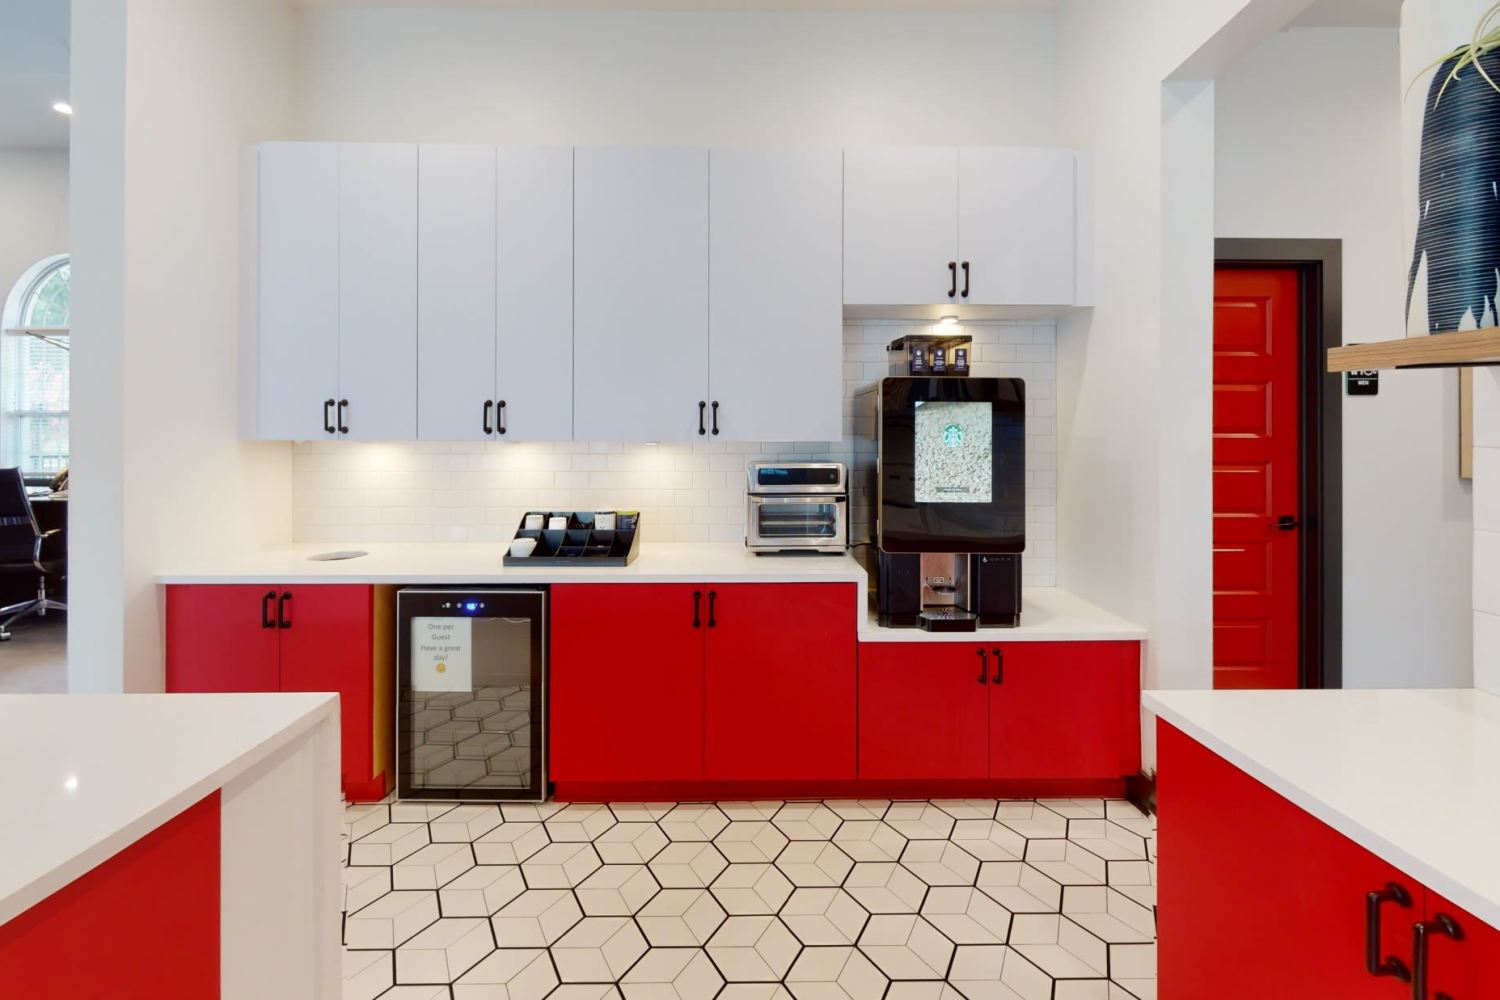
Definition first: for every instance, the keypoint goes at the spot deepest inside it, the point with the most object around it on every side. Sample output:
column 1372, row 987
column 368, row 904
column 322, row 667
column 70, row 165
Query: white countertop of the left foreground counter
column 86, row 776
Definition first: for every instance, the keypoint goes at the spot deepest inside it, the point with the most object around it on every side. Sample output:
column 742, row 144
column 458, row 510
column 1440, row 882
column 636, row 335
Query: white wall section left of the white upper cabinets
column 167, row 95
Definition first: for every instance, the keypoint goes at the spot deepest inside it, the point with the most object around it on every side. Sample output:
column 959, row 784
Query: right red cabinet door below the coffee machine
column 1066, row 710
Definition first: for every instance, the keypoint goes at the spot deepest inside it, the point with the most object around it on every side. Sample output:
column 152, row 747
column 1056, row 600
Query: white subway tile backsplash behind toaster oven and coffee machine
column 347, row 493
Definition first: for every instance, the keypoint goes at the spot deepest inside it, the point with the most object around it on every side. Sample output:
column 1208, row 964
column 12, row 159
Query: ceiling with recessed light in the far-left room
column 34, row 73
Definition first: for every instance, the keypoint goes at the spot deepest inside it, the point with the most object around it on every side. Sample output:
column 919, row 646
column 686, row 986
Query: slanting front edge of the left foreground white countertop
column 158, row 815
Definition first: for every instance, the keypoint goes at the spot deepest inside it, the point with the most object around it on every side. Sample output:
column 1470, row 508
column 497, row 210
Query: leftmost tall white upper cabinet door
column 298, row 271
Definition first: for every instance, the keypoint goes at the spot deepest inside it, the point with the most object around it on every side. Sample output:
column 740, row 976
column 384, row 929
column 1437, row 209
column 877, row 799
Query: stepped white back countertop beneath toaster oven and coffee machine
column 1048, row 614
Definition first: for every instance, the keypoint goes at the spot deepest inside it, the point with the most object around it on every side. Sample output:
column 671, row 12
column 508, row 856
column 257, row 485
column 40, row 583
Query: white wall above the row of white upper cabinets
column 673, row 77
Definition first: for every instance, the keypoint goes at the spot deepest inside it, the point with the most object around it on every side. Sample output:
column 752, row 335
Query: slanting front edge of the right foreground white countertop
column 1427, row 873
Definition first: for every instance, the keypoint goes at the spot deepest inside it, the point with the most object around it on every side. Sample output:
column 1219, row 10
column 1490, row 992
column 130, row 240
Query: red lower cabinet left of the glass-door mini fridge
column 314, row 638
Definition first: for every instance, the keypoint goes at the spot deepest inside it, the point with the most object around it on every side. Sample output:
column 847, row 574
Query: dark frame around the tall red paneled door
column 1321, row 445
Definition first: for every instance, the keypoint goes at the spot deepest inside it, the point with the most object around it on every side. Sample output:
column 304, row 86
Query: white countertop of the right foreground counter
column 1411, row 776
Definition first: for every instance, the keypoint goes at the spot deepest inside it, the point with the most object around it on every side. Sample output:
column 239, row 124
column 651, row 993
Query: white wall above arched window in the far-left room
column 34, row 211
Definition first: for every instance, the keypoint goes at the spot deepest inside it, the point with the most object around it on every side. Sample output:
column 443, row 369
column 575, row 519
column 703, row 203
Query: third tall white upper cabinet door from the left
column 455, row 292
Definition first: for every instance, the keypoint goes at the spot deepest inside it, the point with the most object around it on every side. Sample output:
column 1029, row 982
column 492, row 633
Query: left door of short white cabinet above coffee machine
column 901, row 226
